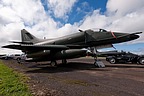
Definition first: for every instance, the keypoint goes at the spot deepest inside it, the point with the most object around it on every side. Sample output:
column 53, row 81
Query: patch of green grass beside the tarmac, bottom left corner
column 12, row 83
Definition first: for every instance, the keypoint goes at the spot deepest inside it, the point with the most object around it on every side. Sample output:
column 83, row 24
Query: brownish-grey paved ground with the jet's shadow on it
column 80, row 78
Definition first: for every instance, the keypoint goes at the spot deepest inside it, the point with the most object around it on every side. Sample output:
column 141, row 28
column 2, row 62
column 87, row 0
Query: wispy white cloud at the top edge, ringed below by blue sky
column 61, row 8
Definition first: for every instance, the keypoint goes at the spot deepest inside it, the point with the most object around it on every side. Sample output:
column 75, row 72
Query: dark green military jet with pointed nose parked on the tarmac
column 67, row 47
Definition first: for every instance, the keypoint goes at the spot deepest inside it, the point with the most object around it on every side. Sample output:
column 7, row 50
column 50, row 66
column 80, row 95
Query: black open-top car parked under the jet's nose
column 125, row 58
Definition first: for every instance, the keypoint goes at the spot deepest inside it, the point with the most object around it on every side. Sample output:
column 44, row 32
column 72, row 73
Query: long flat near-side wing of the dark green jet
column 36, row 47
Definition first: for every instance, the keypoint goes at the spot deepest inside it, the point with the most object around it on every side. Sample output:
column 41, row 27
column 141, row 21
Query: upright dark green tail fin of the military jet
column 27, row 37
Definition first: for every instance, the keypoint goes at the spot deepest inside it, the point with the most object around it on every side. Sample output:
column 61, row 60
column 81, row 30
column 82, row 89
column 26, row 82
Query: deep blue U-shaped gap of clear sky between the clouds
column 80, row 9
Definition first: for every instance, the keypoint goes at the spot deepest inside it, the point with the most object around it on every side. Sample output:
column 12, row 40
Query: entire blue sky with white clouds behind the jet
column 55, row 18
